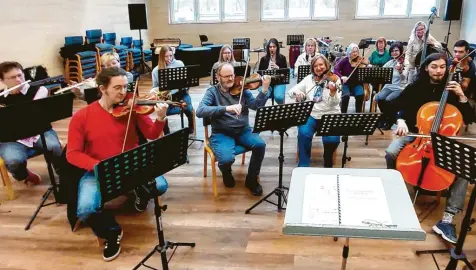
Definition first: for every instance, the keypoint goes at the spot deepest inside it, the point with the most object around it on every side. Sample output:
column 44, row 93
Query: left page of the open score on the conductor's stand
column 320, row 203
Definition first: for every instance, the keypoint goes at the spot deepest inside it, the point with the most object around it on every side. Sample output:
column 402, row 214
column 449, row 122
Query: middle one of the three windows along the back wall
column 298, row 9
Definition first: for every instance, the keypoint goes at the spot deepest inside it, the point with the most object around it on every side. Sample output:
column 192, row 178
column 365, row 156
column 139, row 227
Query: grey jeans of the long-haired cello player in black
column 455, row 202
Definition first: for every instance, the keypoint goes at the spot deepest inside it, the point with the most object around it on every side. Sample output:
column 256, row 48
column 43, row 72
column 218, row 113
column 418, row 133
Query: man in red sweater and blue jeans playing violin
column 94, row 135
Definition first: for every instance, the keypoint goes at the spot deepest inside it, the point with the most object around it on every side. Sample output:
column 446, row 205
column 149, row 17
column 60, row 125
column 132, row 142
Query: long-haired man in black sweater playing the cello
column 428, row 87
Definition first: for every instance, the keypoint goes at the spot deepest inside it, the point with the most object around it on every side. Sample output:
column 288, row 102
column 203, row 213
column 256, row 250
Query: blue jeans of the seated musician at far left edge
column 16, row 154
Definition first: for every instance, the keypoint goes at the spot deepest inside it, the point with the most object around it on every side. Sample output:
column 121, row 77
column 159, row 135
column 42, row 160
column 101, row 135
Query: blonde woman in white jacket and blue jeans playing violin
column 324, row 88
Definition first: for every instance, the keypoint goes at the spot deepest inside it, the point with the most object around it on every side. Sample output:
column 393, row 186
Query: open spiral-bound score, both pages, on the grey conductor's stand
column 345, row 200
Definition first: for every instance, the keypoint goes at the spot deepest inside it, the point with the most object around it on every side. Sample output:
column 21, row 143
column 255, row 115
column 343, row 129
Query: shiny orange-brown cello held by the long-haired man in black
column 415, row 162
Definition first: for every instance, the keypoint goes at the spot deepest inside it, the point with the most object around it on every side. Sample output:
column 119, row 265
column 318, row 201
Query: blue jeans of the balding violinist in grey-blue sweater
column 223, row 146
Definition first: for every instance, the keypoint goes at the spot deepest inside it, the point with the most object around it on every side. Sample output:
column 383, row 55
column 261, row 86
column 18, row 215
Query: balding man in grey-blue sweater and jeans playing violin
column 230, row 125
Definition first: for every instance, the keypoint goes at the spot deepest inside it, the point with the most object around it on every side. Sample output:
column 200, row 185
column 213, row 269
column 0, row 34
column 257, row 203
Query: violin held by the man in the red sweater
column 143, row 105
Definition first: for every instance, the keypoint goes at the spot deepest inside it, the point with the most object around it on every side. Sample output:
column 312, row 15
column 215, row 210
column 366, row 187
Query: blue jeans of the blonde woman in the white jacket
column 305, row 134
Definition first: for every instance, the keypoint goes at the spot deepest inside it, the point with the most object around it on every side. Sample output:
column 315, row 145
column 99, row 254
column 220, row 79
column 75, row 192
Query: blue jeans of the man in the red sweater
column 89, row 194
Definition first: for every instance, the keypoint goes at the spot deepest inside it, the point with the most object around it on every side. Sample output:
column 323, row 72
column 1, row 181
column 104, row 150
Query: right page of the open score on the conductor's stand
column 363, row 202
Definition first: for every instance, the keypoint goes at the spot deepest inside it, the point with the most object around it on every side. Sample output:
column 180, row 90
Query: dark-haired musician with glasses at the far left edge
column 15, row 154
